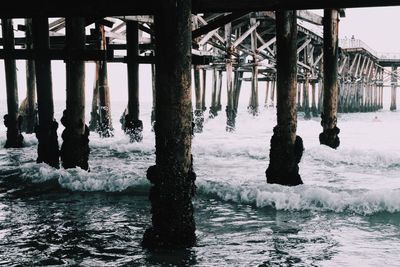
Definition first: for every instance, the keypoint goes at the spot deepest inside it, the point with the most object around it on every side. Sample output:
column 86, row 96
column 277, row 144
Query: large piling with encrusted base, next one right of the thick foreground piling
column 286, row 147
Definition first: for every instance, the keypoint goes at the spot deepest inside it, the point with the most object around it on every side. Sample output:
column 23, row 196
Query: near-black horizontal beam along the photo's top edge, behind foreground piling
column 87, row 8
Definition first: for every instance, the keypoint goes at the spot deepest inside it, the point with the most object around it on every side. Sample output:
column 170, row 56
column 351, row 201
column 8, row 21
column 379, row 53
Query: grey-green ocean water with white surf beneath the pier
column 347, row 213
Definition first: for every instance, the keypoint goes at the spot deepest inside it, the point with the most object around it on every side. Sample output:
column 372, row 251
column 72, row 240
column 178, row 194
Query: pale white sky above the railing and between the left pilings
column 379, row 28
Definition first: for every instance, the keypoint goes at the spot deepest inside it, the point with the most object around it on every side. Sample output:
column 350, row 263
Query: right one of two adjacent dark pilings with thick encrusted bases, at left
column 75, row 147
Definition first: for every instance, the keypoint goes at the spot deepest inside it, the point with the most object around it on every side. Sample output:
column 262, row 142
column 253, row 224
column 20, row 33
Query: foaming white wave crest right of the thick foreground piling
column 306, row 197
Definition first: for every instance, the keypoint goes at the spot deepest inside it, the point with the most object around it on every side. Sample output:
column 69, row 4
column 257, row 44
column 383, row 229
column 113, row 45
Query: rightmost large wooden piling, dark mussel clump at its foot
column 329, row 136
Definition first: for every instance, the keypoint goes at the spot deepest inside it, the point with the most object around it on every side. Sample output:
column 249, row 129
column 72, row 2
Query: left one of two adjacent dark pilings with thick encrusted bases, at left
column 46, row 130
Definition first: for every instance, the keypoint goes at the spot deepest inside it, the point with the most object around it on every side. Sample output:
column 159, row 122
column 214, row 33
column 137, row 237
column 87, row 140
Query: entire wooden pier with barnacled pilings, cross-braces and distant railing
column 298, row 54
